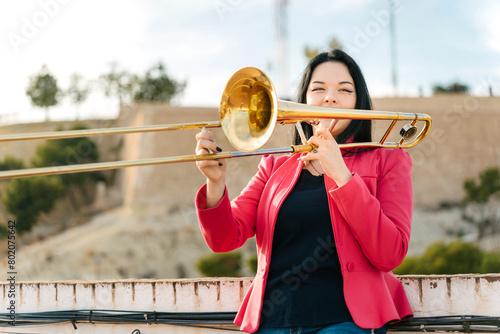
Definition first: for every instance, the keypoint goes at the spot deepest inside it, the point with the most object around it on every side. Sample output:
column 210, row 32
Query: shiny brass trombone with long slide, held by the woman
column 249, row 111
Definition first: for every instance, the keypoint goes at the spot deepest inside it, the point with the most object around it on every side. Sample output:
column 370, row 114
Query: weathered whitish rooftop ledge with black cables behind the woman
column 430, row 296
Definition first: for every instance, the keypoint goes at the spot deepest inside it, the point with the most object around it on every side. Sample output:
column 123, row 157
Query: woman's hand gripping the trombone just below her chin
column 328, row 153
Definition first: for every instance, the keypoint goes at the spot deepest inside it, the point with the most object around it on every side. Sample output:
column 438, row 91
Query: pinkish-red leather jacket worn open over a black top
column 371, row 219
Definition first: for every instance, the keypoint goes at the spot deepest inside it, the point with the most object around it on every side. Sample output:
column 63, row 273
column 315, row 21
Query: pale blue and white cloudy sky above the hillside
column 203, row 42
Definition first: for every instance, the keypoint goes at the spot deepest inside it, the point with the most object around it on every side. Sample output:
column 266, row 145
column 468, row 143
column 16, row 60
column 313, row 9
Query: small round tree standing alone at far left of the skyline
column 43, row 90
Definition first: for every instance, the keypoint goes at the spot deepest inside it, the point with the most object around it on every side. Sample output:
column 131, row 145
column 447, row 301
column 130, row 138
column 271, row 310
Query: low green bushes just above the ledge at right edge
column 457, row 257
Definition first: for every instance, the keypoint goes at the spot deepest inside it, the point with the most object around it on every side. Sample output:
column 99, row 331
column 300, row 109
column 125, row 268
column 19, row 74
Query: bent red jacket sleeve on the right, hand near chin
column 381, row 223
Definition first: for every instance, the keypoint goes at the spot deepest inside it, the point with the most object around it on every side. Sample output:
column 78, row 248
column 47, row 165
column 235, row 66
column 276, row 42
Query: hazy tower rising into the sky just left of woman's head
column 281, row 61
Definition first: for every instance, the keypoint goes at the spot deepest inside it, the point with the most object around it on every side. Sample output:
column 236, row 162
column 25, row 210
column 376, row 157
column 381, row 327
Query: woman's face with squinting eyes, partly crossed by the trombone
column 332, row 86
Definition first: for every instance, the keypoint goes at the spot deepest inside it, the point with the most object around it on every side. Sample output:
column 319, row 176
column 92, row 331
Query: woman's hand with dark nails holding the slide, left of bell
column 214, row 170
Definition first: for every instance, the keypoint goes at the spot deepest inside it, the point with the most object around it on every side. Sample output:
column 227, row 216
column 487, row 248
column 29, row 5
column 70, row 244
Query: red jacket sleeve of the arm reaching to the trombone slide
column 228, row 225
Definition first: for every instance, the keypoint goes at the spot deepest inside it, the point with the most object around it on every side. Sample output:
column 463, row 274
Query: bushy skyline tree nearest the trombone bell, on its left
column 157, row 86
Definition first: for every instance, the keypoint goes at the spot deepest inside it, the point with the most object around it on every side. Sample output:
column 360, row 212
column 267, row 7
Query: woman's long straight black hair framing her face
column 359, row 130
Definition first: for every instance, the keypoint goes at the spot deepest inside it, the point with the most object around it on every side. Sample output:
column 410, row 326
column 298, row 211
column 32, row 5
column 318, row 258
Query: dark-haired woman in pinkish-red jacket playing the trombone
column 330, row 225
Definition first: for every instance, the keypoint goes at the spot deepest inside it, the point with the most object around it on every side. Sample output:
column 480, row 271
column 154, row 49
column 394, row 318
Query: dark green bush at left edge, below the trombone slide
column 27, row 198
